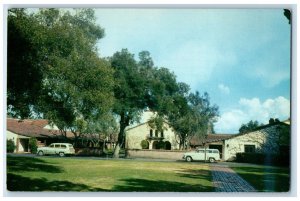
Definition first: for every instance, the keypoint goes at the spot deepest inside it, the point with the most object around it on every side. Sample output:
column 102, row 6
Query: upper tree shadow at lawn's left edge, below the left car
column 21, row 164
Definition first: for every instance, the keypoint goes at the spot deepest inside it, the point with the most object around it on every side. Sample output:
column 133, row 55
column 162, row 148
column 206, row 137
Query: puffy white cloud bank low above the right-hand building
column 253, row 109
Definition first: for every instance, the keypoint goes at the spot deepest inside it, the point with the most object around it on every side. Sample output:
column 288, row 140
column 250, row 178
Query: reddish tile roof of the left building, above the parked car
column 32, row 128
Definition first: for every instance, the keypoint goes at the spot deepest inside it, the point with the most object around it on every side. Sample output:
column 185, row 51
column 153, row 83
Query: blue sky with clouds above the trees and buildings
column 241, row 57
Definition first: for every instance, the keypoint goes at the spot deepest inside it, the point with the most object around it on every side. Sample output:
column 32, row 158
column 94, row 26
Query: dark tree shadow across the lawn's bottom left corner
column 20, row 183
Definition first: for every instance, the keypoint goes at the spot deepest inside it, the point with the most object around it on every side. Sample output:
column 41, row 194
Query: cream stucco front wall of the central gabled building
column 134, row 136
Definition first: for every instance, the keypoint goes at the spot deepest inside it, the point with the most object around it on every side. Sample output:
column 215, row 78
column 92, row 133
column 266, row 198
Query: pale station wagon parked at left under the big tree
column 60, row 149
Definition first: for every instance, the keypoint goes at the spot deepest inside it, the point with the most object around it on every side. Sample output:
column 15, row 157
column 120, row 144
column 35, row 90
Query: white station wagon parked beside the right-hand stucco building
column 212, row 155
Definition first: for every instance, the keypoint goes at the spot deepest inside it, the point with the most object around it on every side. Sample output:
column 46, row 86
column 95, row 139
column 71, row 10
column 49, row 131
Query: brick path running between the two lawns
column 226, row 180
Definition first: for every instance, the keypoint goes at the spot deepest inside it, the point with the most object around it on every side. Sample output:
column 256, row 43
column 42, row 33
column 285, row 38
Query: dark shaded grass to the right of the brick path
column 266, row 178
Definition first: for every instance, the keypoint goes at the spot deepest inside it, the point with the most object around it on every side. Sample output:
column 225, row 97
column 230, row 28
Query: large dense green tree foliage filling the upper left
column 54, row 69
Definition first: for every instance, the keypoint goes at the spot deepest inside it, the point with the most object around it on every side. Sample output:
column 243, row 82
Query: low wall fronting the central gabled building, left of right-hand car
column 161, row 154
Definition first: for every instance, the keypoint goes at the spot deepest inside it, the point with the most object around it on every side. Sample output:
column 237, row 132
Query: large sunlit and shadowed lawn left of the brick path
column 67, row 174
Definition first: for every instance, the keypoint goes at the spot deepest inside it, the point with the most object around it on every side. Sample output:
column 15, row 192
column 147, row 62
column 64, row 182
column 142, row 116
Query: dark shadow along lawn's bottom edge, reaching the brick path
column 143, row 185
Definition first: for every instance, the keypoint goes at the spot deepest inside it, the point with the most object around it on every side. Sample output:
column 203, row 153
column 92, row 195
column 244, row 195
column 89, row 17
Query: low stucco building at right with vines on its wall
column 272, row 138
